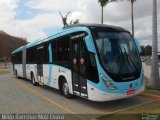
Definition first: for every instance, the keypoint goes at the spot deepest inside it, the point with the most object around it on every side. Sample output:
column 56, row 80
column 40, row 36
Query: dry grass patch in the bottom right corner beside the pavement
column 135, row 113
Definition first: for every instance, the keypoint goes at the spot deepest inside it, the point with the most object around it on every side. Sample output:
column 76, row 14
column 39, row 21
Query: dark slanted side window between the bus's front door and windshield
column 92, row 71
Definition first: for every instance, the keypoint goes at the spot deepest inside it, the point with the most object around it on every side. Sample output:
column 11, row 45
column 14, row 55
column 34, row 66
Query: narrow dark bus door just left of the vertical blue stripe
column 40, row 52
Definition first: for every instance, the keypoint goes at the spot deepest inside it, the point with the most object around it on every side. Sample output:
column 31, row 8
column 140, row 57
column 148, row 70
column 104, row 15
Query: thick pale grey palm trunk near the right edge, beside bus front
column 155, row 81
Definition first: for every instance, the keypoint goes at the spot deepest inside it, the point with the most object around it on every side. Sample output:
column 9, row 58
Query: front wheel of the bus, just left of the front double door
column 65, row 89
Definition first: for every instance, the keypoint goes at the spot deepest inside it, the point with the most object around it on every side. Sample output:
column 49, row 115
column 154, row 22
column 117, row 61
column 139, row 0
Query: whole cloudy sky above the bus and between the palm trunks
column 37, row 19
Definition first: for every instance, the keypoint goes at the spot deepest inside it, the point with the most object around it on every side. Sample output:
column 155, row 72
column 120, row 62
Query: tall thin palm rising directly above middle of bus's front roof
column 103, row 3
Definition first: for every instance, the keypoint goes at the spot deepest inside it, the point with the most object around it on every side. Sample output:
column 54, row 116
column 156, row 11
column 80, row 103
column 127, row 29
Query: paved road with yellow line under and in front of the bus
column 20, row 96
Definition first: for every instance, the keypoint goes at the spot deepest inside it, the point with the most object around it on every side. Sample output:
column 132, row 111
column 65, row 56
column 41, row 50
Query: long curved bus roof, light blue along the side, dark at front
column 70, row 28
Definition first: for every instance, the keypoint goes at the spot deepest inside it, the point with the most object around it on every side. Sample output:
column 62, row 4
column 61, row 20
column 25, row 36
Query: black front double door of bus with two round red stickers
column 78, row 58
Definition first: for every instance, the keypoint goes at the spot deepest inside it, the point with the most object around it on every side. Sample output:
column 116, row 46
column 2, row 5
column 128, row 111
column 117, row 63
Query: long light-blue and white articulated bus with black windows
column 97, row 62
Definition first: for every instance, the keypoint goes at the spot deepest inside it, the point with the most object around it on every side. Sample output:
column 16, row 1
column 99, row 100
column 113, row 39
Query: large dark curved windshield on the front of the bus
column 118, row 55
